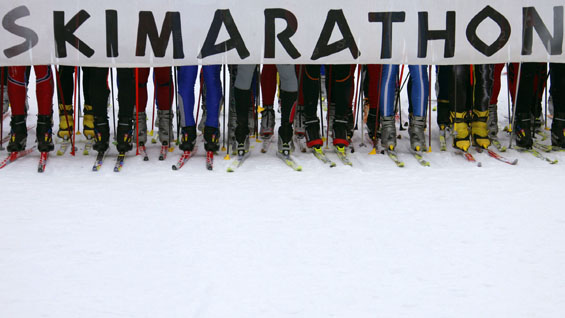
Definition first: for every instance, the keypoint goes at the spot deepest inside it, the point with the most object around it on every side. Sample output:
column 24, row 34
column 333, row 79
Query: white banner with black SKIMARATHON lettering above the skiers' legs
column 126, row 33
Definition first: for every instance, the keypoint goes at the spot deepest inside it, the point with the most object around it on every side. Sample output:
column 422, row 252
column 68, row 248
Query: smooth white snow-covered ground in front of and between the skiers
column 372, row 240
